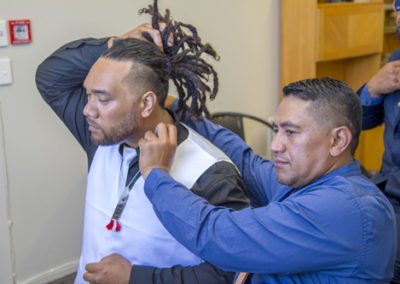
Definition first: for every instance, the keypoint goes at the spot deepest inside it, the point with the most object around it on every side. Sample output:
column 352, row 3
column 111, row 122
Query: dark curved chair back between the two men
column 255, row 131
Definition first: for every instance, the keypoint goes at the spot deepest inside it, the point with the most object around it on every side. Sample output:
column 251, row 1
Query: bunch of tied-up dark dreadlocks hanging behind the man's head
column 189, row 72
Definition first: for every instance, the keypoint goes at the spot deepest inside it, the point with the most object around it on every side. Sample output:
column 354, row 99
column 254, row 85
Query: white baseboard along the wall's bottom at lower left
column 52, row 274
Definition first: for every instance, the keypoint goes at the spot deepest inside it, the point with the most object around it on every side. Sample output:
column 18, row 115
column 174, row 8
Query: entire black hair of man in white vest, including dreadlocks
column 180, row 61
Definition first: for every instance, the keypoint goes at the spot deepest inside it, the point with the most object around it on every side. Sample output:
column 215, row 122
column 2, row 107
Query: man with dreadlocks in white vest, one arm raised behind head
column 109, row 92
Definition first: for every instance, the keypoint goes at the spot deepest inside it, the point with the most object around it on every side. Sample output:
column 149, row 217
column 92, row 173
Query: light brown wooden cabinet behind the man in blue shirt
column 339, row 40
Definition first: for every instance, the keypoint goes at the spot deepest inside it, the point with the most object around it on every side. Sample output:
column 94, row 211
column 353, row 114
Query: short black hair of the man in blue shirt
column 332, row 101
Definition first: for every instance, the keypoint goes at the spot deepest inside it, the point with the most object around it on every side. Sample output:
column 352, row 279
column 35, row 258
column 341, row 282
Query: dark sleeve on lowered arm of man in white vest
column 220, row 185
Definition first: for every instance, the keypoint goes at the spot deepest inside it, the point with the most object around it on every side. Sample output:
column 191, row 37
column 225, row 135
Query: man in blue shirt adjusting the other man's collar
column 314, row 217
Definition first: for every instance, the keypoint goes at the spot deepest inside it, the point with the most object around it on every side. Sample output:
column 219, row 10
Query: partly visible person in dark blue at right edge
column 380, row 99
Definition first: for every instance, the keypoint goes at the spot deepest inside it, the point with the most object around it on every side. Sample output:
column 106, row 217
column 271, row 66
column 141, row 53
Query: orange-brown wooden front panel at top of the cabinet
column 344, row 30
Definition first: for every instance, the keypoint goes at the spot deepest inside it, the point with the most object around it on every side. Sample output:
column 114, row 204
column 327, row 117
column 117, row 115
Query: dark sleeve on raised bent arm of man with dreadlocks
column 59, row 79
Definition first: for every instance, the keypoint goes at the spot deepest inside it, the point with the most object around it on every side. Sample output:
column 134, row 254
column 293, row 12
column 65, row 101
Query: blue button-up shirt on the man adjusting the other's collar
column 338, row 229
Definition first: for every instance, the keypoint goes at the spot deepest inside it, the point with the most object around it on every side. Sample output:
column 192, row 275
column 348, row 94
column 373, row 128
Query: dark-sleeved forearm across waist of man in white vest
column 203, row 273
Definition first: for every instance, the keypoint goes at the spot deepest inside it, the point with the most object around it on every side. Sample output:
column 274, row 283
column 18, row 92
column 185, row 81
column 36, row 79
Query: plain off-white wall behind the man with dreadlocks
column 42, row 173
